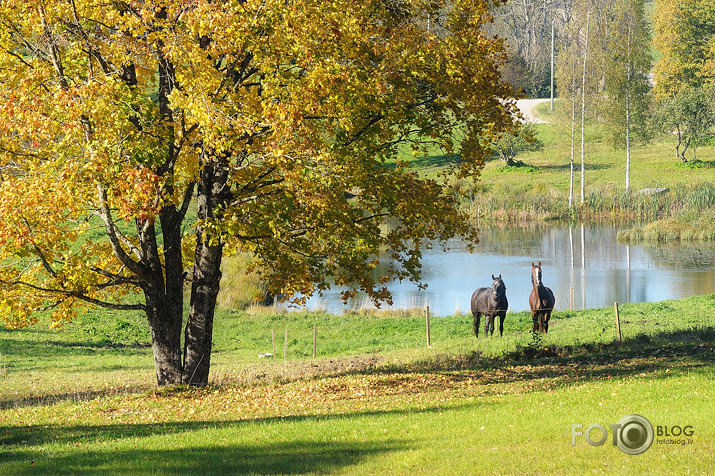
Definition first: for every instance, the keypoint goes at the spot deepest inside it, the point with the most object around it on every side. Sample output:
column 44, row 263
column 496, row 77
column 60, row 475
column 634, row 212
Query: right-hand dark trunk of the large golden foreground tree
column 212, row 195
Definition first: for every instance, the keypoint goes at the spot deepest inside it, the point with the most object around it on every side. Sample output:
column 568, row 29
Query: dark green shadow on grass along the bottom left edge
column 282, row 457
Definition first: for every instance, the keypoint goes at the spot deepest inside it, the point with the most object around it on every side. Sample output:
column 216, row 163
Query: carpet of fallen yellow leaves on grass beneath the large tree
column 373, row 392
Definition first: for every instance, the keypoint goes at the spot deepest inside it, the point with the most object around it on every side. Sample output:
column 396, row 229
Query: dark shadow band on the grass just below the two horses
column 682, row 350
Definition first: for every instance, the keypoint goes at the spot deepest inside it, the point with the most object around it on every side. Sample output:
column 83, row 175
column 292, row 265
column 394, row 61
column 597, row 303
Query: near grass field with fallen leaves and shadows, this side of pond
column 375, row 400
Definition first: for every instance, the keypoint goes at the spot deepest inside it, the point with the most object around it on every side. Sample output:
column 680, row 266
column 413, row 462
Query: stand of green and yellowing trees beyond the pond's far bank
column 605, row 69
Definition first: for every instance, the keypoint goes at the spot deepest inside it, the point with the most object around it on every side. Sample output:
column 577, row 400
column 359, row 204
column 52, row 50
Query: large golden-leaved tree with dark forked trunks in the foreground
column 274, row 118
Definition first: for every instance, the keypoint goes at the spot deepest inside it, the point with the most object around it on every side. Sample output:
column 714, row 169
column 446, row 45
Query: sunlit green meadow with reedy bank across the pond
column 537, row 188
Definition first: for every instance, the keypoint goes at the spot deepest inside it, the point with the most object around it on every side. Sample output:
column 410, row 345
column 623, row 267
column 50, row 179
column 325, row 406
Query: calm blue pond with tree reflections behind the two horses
column 584, row 265
